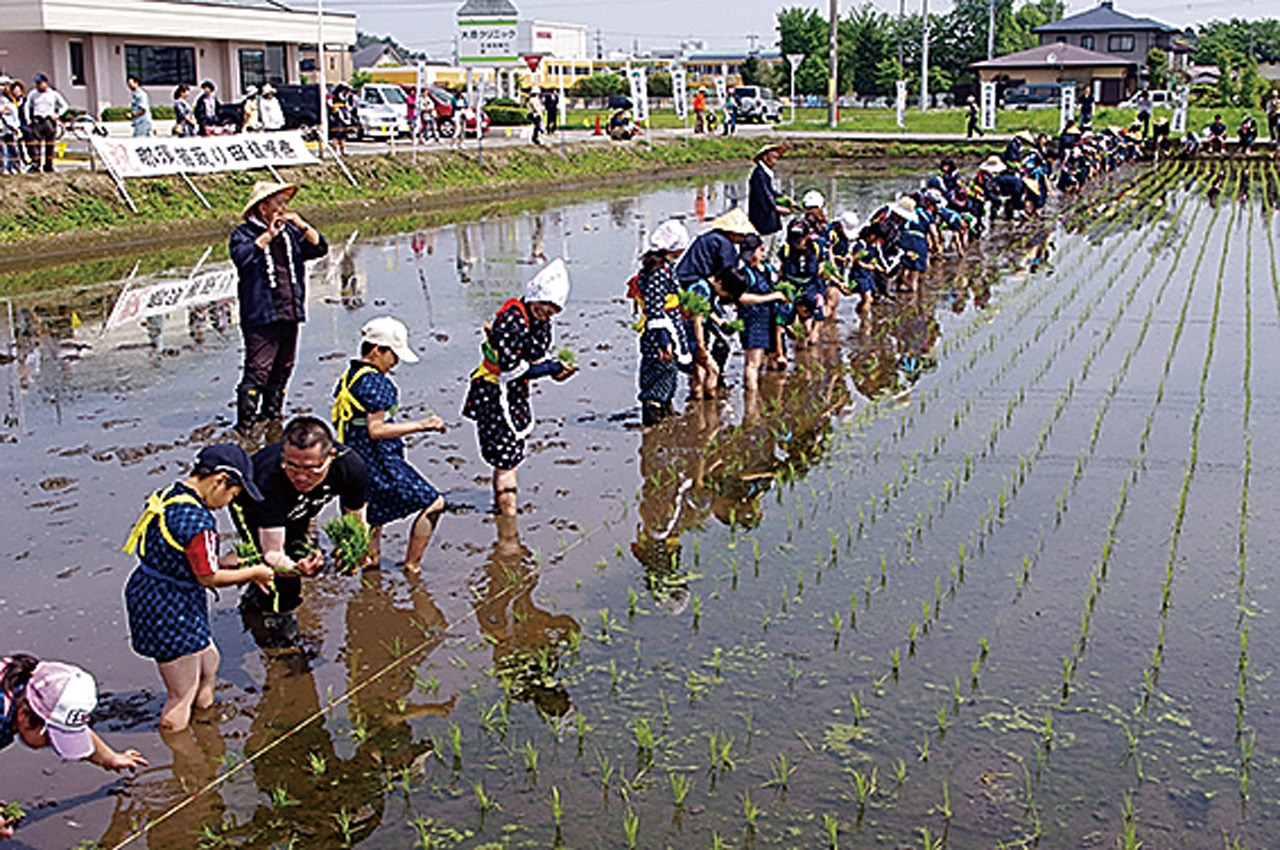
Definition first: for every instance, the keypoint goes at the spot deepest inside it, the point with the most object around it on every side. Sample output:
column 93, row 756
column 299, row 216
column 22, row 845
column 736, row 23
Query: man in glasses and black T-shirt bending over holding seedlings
column 298, row 478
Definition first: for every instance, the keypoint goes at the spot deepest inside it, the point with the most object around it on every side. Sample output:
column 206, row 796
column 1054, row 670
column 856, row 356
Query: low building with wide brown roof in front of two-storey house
column 1112, row 79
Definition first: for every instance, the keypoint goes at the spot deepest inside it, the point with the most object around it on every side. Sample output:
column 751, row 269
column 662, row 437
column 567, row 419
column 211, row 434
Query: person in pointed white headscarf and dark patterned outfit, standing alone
column 515, row 353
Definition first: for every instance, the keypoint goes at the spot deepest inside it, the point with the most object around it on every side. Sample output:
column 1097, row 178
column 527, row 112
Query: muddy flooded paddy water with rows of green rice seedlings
column 986, row 554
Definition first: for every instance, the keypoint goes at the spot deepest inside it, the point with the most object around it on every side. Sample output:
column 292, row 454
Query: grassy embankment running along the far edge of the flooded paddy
column 81, row 213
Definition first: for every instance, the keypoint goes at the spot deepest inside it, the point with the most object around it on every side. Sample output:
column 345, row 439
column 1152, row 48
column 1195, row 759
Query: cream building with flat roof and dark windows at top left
column 89, row 47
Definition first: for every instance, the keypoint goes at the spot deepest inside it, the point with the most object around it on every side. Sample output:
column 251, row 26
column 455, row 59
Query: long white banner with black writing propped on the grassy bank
column 157, row 157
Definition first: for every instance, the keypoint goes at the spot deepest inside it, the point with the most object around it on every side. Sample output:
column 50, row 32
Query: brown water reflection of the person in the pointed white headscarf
column 528, row 641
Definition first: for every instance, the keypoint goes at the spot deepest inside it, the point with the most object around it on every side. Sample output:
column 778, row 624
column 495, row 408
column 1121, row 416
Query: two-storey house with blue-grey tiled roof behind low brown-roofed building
column 1117, row 34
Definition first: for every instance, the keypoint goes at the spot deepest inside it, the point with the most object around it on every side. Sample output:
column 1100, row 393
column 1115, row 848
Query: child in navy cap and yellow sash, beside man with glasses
column 166, row 597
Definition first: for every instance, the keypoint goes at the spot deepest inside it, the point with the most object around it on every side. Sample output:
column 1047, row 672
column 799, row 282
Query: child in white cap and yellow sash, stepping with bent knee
column 363, row 414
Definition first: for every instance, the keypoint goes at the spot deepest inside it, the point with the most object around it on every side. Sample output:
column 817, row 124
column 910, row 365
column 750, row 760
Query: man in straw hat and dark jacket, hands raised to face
column 271, row 252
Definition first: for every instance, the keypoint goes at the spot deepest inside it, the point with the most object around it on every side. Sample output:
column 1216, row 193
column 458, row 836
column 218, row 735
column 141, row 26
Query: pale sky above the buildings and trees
column 429, row 25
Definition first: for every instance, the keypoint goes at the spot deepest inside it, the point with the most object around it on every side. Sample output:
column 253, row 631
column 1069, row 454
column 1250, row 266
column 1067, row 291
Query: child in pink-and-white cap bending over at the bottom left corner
column 48, row 703
